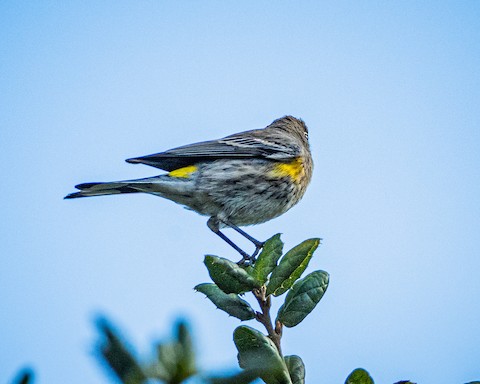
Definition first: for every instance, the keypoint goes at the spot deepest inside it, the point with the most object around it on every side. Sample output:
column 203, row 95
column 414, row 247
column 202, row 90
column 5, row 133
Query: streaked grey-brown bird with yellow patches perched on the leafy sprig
column 243, row 179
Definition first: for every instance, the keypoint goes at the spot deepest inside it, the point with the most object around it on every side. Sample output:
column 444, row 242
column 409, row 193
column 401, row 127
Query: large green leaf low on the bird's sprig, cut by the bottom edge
column 258, row 353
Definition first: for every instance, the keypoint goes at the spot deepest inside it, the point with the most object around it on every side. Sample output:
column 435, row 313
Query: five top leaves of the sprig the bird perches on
column 232, row 280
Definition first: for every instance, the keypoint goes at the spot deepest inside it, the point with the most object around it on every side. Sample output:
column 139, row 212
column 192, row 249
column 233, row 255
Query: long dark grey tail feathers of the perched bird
column 111, row 188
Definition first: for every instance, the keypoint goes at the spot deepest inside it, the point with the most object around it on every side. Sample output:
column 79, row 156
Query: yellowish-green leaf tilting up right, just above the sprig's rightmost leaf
column 291, row 267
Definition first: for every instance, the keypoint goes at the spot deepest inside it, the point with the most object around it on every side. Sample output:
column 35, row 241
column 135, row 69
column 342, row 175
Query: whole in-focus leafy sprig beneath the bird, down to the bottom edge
column 273, row 274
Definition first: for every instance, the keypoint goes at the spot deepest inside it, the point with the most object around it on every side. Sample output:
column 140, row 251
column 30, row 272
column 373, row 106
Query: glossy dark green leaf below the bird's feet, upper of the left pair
column 228, row 276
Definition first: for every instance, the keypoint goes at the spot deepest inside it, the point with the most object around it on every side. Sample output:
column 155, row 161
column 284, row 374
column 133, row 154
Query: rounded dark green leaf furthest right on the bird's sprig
column 302, row 298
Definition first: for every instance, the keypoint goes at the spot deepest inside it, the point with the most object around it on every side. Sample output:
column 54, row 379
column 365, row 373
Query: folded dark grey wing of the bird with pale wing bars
column 249, row 144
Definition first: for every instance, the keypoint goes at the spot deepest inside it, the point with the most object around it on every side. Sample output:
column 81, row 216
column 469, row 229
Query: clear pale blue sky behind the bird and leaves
column 391, row 94
